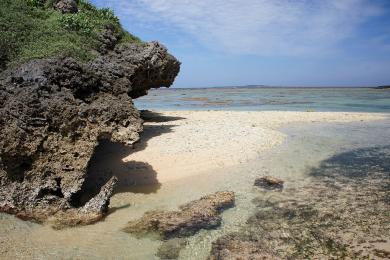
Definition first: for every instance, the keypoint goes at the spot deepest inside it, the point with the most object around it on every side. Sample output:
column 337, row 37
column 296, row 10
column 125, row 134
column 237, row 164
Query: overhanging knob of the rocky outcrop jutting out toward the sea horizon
column 131, row 67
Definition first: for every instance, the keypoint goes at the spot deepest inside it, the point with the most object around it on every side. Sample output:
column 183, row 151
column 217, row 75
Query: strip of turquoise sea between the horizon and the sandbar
column 293, row 99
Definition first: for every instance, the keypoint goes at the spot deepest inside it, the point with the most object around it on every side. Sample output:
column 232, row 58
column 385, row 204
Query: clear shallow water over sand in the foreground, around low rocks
column 304, row 150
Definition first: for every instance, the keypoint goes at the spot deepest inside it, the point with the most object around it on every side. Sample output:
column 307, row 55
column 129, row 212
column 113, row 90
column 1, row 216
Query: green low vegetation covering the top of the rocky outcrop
column 31, row 29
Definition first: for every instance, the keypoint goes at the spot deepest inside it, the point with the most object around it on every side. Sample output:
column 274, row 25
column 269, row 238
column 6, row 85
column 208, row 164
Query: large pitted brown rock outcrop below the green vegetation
column 54, row 112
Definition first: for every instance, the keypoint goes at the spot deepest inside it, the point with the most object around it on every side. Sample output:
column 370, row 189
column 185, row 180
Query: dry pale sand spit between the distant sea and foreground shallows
column 200, row 141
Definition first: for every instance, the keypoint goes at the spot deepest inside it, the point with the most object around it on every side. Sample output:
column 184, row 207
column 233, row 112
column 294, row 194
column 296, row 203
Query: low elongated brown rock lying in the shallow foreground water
column 199, row 214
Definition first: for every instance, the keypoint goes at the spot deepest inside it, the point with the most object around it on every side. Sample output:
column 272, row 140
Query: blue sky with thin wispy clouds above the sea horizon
column 267, row 42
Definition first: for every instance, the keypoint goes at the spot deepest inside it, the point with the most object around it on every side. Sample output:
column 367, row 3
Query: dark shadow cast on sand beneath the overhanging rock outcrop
column 133, row 176
